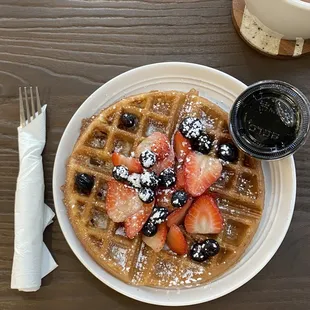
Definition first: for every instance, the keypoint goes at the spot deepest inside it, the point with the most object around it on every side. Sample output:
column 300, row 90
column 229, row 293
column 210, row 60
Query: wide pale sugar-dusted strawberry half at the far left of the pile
column 122, row 201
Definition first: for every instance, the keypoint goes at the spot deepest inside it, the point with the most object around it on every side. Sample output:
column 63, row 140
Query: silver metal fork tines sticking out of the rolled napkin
column 26, row 119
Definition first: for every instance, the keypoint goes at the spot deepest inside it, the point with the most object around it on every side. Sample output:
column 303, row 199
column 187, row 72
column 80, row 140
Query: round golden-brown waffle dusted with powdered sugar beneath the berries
column 239, row 192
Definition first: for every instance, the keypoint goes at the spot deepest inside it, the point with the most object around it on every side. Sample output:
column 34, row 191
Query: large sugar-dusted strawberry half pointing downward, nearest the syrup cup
column 201, row 172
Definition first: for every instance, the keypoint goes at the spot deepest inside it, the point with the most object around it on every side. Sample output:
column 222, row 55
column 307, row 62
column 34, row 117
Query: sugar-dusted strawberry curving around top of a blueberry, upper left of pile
column 156, row 142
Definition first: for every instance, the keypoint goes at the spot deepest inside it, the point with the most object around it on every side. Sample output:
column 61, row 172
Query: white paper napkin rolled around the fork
column 32, row 260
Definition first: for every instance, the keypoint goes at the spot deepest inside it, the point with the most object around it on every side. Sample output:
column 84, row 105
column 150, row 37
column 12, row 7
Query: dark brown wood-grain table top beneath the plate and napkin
column 69, row 48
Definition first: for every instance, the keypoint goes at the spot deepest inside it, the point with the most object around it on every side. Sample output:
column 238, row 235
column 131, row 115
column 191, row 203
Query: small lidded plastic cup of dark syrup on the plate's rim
column 270, row 120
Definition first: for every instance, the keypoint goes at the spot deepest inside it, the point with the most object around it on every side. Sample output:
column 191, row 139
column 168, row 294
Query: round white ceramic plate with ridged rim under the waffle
column 280, row 180
